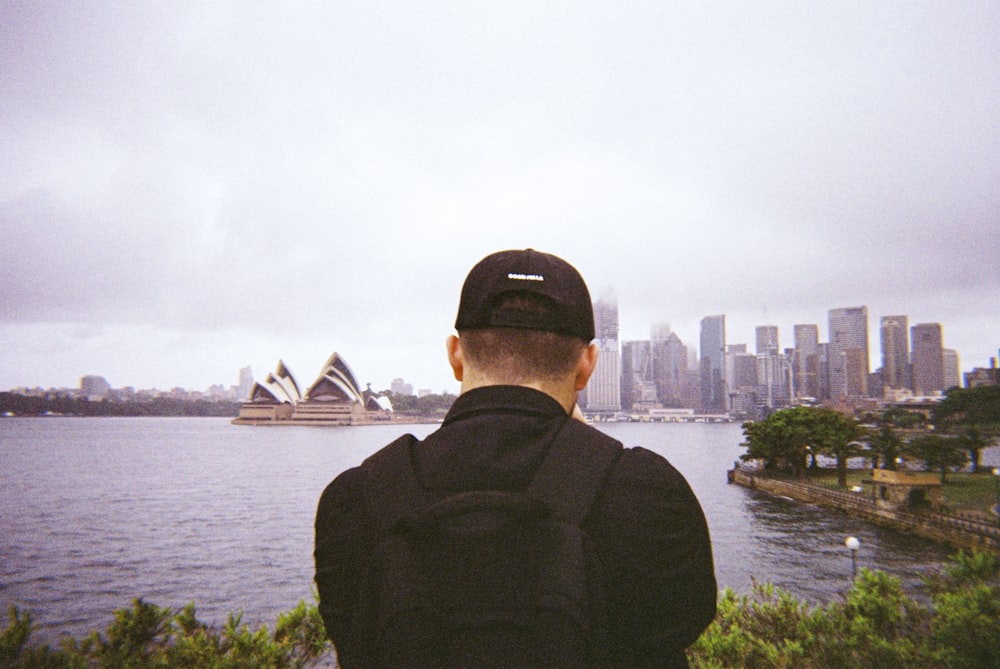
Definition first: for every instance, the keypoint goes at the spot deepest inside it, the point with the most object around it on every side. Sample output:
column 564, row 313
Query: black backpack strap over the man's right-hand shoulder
column 574, row 470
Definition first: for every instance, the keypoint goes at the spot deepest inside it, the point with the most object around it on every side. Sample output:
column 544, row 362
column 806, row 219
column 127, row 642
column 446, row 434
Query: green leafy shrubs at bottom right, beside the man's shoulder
column 876, row 624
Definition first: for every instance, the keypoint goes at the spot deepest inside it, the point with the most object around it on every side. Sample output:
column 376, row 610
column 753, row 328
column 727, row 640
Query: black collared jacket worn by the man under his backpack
column 646, row 524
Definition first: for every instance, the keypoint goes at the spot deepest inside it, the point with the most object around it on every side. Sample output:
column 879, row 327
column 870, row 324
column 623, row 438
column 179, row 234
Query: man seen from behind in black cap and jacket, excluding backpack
column 522, row 354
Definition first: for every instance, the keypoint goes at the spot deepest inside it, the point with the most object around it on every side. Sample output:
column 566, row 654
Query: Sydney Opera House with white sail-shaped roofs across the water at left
column 332, row 399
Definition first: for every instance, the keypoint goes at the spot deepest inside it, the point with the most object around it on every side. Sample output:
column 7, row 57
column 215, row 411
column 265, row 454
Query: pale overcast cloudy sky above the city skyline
column 188, row 188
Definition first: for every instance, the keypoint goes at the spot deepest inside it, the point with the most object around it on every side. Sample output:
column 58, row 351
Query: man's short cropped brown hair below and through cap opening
column 515, row 355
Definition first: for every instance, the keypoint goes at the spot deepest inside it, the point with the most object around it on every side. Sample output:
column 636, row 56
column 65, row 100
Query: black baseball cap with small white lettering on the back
column 532, row 272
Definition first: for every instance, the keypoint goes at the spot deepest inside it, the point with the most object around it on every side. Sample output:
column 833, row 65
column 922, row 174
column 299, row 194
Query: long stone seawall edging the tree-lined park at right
column 959, row 531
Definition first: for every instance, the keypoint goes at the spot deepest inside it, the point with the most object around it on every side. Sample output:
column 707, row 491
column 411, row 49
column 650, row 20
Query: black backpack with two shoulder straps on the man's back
column 488, row 578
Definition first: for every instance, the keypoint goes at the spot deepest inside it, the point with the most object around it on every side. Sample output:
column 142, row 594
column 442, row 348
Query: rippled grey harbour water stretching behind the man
column 97, row 511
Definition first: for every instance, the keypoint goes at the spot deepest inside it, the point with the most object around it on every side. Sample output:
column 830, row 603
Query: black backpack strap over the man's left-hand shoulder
column 391, row 487
